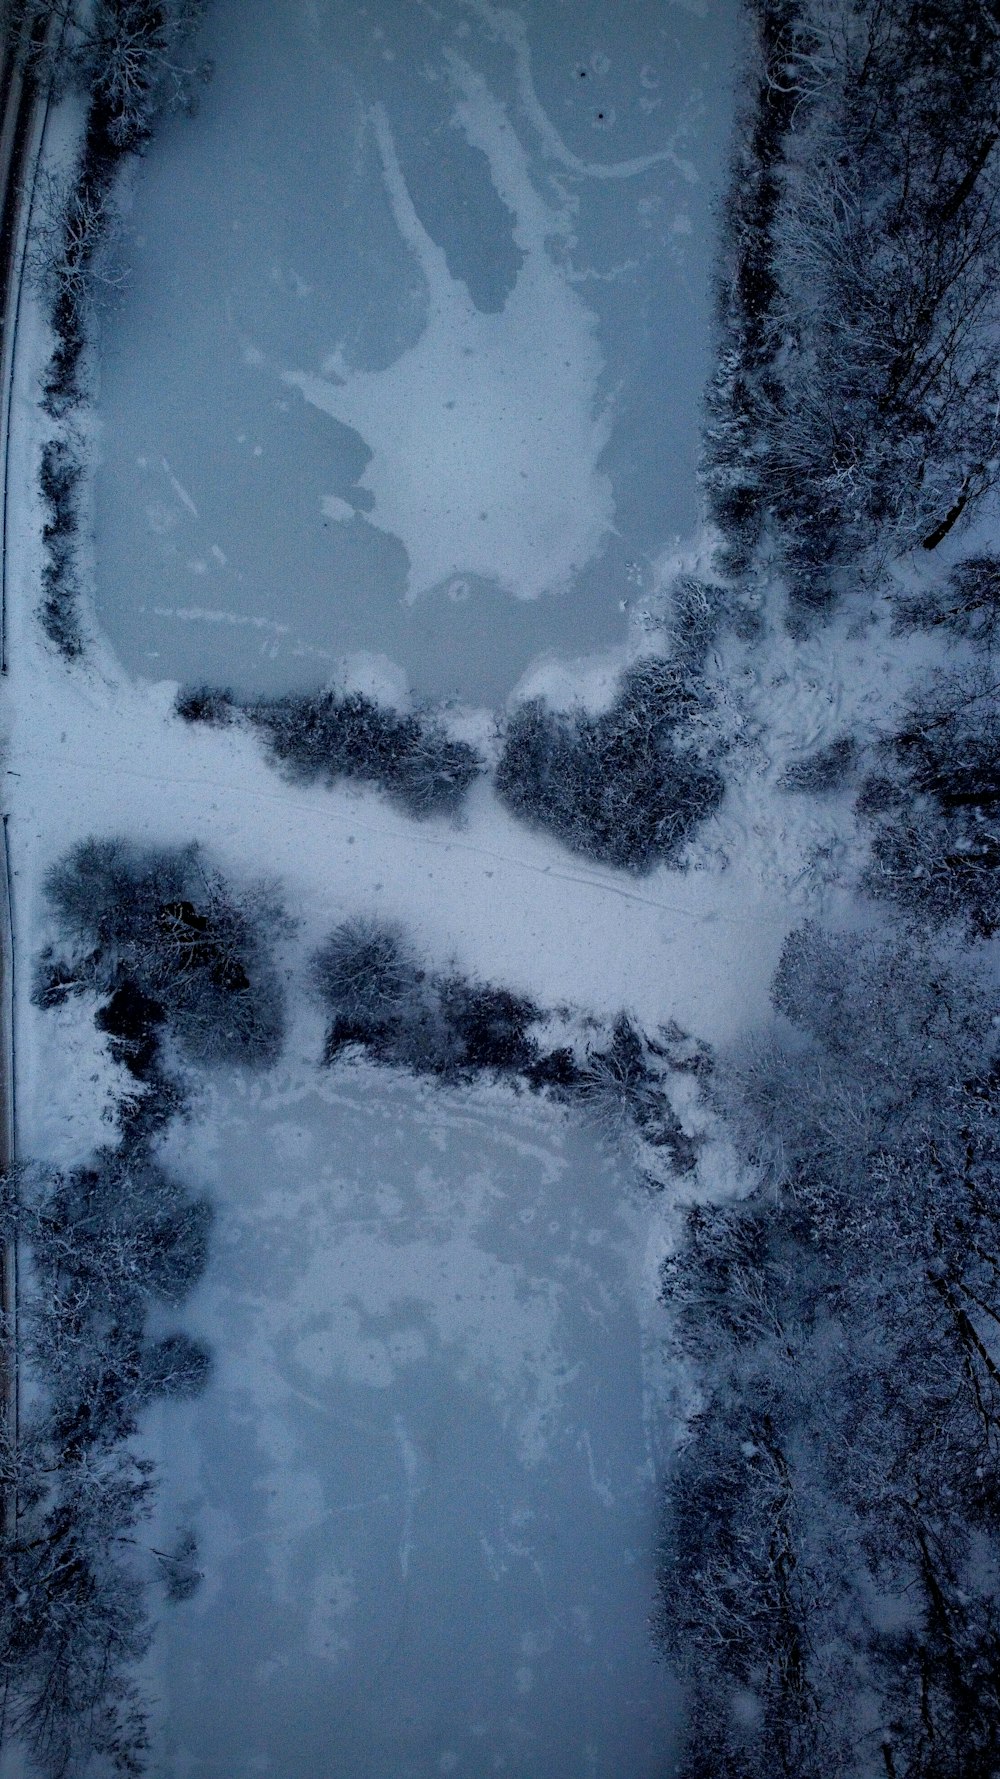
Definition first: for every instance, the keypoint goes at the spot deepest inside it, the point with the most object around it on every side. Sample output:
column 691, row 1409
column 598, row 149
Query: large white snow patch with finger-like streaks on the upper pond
column 487, row 435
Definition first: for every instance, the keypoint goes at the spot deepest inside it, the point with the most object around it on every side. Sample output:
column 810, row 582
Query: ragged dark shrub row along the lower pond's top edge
column 380, row 1001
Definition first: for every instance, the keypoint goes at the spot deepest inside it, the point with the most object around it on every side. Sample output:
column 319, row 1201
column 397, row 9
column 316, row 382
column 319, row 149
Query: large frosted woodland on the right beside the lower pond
column 832, row 1547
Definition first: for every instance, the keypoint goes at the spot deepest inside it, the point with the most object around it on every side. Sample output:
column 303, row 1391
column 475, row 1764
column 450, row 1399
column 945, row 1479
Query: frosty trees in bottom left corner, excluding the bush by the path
column 106, row 1243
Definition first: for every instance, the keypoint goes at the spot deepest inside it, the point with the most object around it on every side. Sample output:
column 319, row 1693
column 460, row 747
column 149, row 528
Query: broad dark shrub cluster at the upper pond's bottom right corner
column 624, row 787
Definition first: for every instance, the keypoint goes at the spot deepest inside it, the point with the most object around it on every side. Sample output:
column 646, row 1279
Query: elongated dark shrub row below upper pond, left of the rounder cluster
column 327, row 737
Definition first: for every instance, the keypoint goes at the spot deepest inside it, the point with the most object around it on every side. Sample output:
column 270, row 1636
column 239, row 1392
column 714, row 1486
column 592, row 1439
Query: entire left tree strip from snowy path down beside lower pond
column 182, row 967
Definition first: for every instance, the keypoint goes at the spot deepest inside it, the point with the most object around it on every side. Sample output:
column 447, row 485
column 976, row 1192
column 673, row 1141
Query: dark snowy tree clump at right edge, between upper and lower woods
column 935, row 810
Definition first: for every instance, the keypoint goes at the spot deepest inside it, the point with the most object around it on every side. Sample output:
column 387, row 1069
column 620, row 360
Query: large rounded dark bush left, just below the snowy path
column 170, row 928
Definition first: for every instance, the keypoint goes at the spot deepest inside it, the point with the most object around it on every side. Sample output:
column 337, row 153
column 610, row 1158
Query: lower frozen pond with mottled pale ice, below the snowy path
column 423, row 1476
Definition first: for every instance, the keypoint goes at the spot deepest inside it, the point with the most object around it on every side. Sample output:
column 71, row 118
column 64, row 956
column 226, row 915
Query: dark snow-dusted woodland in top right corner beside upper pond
column 855, row 405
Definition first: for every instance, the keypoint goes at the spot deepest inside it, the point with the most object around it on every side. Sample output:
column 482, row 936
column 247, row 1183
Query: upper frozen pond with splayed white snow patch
column 414, row 341
